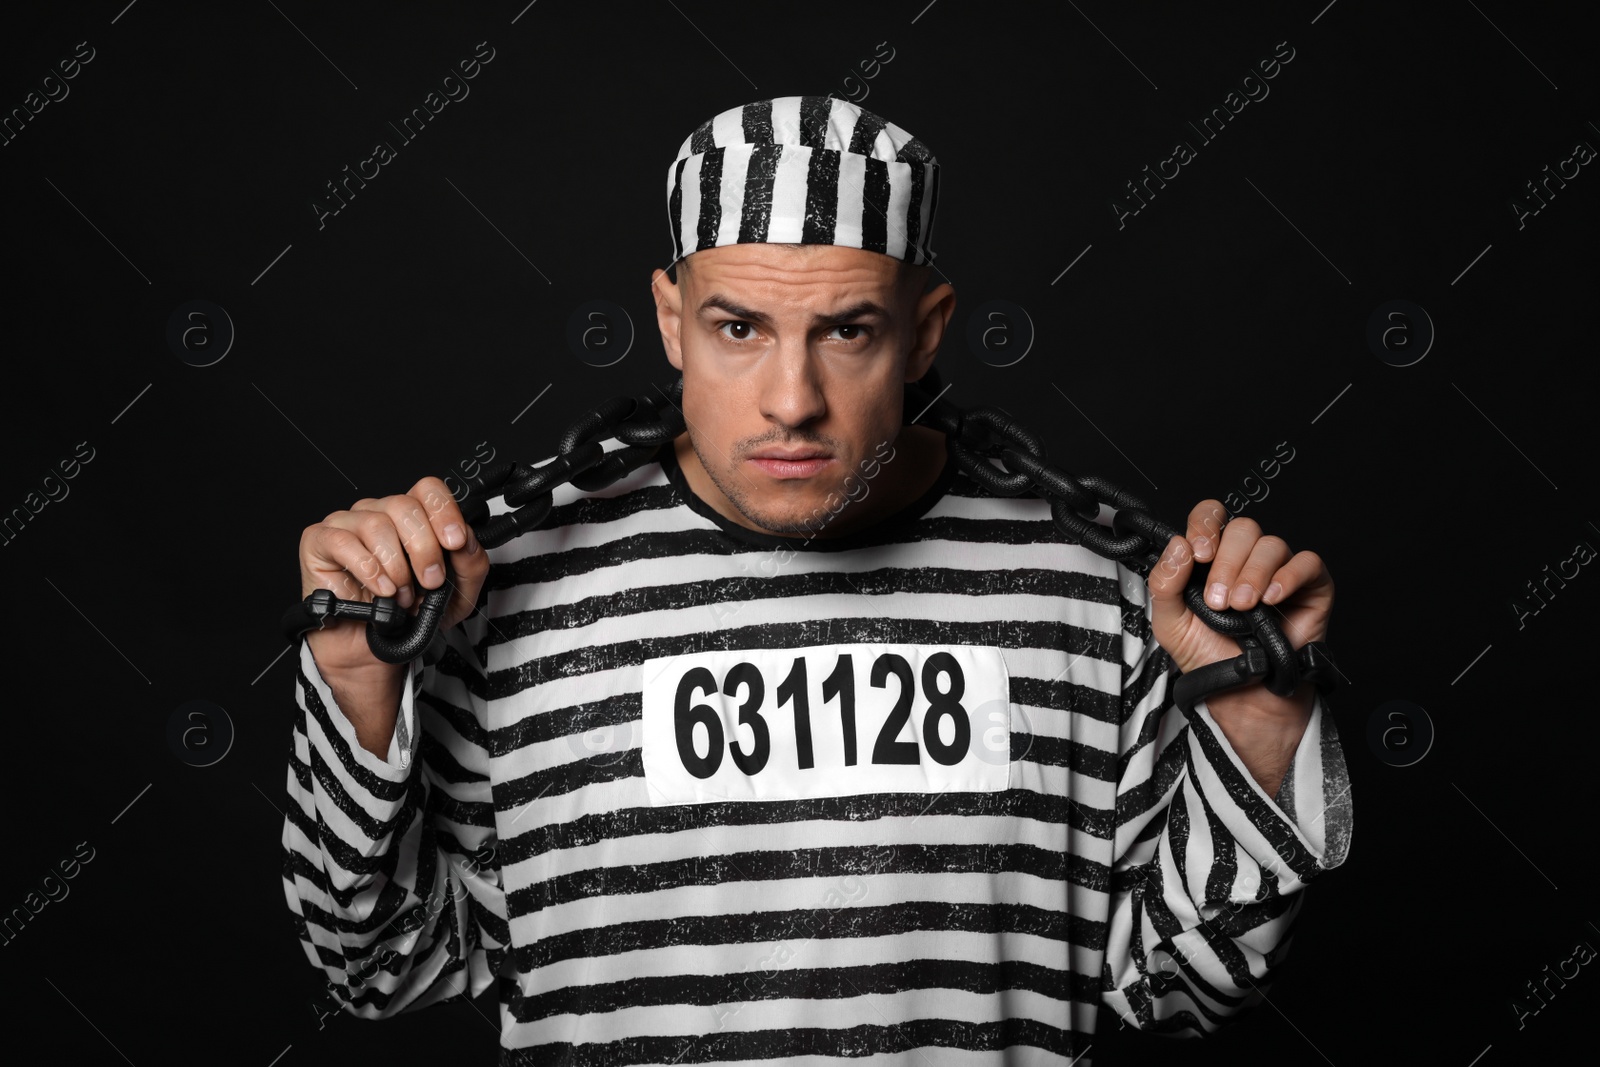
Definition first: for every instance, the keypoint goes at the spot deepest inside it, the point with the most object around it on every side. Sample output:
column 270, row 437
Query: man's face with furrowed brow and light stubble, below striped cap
column 794, row 361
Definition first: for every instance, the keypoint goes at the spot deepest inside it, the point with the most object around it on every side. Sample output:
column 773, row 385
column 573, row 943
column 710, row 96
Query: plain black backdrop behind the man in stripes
column 1226, row 318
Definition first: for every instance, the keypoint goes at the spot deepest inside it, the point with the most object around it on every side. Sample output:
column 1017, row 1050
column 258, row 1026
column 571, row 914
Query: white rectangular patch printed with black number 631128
column 828, row 721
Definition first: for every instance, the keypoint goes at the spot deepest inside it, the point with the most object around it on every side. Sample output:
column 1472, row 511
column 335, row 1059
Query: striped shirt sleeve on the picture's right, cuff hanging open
column 1209, row 873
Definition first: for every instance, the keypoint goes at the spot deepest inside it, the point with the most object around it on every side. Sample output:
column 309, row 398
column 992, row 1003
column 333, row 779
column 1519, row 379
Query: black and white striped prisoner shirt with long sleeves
column 698, row 794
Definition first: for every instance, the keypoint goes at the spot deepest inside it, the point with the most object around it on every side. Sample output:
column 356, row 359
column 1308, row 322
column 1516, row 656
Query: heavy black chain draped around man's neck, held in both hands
column 977, row 438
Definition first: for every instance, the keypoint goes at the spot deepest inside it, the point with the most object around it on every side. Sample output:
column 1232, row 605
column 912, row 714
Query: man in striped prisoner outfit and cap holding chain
column 796, row 741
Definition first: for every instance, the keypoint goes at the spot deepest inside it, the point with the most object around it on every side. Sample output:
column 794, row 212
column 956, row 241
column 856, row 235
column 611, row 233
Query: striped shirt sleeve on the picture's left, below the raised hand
column 390, row 866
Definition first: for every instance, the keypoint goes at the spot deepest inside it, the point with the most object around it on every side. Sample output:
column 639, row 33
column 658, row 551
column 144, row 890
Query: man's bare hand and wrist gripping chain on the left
column 385, row 548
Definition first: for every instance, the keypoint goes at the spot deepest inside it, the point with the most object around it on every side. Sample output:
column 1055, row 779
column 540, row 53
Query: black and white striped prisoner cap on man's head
column 806, row 170
